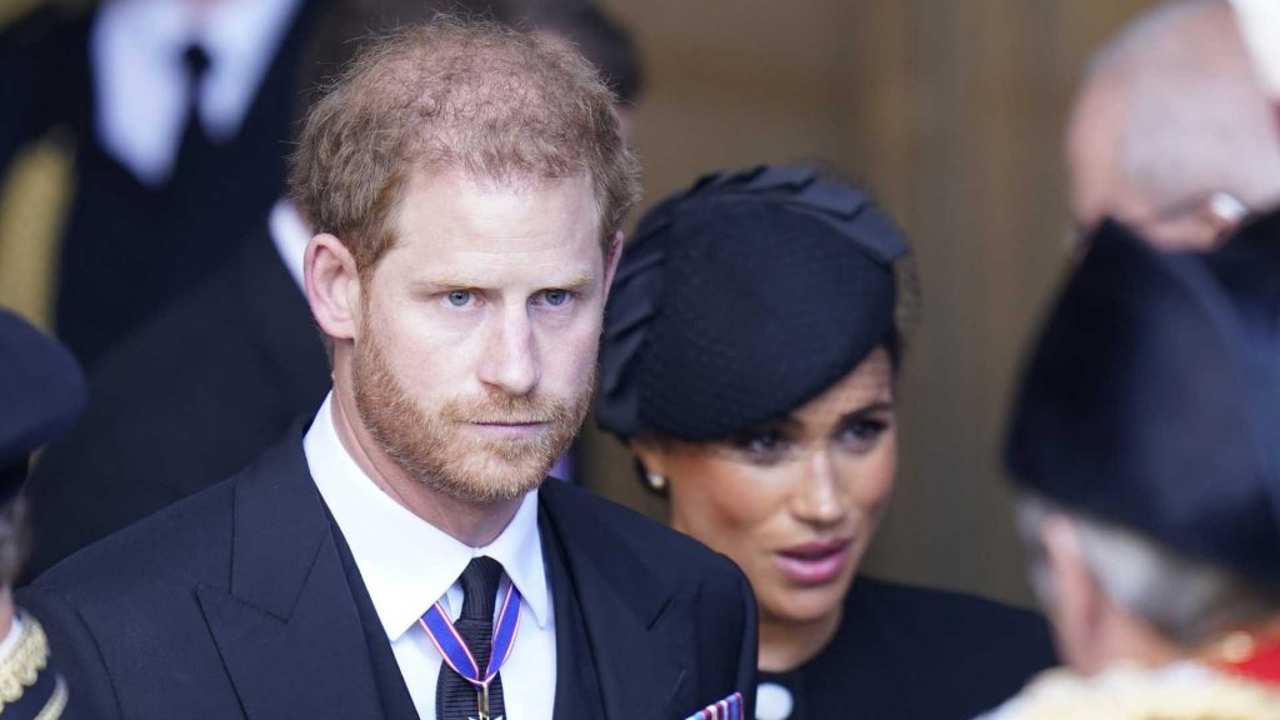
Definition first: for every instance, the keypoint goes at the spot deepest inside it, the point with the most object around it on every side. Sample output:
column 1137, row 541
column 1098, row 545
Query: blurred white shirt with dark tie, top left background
column 140, row 80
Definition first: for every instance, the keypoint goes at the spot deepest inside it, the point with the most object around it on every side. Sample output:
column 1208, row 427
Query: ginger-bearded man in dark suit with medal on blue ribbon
column 468, row 185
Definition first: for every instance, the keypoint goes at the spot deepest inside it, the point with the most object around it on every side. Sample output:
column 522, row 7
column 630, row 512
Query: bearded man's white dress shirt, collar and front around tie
column 409, row 564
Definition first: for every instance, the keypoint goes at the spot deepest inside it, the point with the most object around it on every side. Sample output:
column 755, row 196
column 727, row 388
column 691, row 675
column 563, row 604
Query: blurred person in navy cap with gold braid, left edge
column 42, row 393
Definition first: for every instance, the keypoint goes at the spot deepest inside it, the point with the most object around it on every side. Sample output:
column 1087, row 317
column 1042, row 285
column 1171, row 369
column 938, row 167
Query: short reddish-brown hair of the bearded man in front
column 456, row 94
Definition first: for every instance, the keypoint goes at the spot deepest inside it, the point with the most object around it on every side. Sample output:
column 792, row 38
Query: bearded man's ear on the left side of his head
column 333, row 286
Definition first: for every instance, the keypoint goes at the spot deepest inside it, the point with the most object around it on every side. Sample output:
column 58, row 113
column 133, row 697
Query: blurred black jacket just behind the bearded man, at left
column 191, row 399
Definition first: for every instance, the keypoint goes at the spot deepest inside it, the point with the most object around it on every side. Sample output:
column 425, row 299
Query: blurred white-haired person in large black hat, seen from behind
column 1146, row 444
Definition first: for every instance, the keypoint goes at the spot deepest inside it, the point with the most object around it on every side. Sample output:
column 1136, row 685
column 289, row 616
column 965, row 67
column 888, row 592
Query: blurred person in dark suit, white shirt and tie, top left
column 177, row 113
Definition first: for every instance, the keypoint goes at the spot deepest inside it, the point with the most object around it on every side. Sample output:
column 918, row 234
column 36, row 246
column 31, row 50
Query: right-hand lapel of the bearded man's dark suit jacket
column 638, row 628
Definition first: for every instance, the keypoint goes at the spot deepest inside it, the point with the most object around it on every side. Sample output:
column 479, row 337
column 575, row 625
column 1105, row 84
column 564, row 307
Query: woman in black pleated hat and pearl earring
column 749, row 361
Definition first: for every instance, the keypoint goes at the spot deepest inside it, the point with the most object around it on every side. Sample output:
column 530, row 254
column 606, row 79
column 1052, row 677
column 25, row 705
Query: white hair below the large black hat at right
column 1187, row 601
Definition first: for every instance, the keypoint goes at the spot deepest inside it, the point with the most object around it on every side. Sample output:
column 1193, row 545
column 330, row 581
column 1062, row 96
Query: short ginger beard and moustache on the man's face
column 437, row 448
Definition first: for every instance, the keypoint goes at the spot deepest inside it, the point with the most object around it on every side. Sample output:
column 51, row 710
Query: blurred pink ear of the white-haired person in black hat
column 1078, row 609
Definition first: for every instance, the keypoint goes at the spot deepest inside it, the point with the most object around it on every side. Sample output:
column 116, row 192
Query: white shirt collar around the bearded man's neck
column 406, row 563
